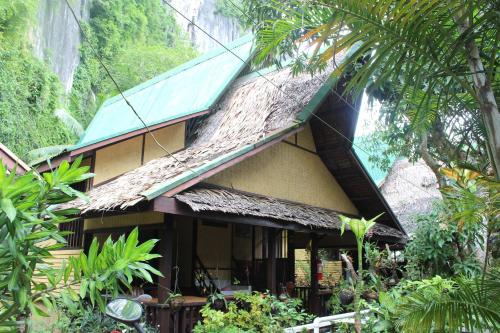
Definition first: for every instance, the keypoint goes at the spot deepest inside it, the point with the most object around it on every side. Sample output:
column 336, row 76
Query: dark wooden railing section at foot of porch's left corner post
column 168, row 320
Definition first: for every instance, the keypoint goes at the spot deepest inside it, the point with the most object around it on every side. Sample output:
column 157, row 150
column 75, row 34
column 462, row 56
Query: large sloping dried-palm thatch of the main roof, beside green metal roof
column 250, row 111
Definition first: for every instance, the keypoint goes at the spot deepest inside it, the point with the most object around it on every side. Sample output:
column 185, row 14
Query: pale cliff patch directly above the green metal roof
column 204, row 14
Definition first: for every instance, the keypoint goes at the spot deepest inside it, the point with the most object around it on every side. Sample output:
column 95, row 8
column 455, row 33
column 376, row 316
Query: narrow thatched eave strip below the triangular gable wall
column 218, row 199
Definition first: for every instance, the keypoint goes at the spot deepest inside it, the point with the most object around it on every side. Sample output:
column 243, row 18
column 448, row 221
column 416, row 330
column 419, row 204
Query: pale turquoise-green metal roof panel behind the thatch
column 187, row 89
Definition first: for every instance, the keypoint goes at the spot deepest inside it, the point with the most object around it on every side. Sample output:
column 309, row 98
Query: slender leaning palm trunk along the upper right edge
column 484, row 93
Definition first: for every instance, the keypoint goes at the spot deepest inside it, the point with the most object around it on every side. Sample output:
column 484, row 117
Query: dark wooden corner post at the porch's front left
column 165, row 283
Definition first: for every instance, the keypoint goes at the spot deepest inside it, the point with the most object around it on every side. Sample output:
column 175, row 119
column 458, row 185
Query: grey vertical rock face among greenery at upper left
column 56, row 37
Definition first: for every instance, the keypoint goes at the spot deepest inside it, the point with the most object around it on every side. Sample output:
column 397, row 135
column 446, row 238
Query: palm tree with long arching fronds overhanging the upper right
column 437, row 53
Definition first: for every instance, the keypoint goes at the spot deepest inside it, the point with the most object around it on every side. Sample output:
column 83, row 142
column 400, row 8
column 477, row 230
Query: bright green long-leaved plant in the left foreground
column 30, row 214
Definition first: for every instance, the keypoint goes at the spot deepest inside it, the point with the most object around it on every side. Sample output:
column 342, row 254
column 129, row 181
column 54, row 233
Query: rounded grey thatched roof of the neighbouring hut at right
column 405, row 199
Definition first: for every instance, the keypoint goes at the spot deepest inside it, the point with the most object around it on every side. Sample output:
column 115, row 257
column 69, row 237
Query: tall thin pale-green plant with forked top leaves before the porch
column 360, row 228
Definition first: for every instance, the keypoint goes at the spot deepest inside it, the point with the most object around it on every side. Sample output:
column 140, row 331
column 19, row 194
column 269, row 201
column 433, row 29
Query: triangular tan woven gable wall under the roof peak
column 287, row 172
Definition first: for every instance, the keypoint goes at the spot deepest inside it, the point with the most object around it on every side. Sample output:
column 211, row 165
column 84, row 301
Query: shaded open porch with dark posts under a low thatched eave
column 214, row 239
